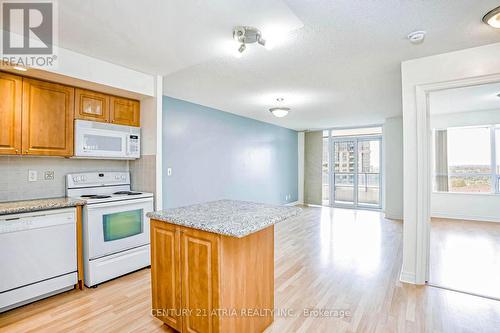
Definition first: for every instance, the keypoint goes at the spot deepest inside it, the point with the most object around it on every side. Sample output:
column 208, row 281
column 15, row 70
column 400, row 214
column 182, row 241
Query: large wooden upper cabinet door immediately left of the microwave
column 48, row 113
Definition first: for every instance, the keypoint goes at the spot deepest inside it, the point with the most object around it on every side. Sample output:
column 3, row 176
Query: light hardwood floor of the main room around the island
column 330, row 259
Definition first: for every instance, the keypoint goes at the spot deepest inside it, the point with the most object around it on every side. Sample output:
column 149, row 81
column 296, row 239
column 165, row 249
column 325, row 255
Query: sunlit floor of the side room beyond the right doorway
column 465, row 255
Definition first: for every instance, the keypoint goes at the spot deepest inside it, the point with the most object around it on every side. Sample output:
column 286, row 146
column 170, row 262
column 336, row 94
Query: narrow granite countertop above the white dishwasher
column 15, row 207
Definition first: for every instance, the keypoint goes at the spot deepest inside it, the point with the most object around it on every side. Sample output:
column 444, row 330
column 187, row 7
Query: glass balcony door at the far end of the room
column 355, row 172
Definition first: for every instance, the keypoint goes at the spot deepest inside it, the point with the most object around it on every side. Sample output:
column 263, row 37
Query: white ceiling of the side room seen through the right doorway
column 474, row 98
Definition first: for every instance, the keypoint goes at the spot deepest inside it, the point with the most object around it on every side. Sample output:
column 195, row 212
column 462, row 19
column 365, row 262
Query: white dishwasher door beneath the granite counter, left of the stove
column 35, row 247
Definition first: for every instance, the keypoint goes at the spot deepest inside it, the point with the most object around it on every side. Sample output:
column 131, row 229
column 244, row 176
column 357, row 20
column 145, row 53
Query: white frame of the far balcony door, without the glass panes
column 331, row 171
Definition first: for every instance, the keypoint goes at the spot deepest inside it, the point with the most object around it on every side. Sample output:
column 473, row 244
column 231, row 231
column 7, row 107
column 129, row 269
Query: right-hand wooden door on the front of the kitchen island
column 200, row 280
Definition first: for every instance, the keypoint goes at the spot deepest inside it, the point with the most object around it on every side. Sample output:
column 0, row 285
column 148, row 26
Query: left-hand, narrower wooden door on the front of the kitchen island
column 165, row 273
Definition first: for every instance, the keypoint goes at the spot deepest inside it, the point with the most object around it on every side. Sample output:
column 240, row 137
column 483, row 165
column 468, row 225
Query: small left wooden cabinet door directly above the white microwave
column 91, row 105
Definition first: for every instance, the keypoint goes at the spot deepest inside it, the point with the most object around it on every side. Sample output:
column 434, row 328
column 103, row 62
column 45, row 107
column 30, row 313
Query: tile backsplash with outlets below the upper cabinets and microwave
column 14, row 184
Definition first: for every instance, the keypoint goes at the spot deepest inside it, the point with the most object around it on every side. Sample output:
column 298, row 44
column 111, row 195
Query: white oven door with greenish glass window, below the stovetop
column 113, row 227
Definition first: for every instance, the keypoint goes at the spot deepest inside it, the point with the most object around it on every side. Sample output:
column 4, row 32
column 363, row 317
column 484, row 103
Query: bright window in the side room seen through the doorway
column 463, row 160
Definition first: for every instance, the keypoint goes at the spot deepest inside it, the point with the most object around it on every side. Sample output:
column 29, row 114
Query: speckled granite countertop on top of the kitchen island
column 227, row 217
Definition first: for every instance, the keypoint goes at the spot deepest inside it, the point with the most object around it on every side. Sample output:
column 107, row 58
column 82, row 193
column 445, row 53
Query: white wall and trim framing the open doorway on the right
column 470, row 64
